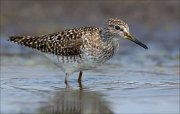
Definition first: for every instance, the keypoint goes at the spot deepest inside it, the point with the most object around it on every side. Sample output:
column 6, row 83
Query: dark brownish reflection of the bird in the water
column 79, row 101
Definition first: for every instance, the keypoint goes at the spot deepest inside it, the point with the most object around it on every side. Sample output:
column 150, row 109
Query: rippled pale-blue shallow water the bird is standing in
column 136, row 82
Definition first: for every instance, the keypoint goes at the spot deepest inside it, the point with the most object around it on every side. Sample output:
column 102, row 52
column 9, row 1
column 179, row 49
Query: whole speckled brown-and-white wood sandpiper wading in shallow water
column 79, row 49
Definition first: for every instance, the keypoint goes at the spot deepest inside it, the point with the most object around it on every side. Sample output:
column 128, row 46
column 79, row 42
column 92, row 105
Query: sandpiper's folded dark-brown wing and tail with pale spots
column 64, row 43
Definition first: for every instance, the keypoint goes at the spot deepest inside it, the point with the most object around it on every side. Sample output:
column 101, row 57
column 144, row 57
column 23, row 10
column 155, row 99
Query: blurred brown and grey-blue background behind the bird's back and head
column 149, row 20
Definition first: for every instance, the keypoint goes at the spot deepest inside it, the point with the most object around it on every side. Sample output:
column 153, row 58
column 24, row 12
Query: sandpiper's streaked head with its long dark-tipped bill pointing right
column 120, row 29
